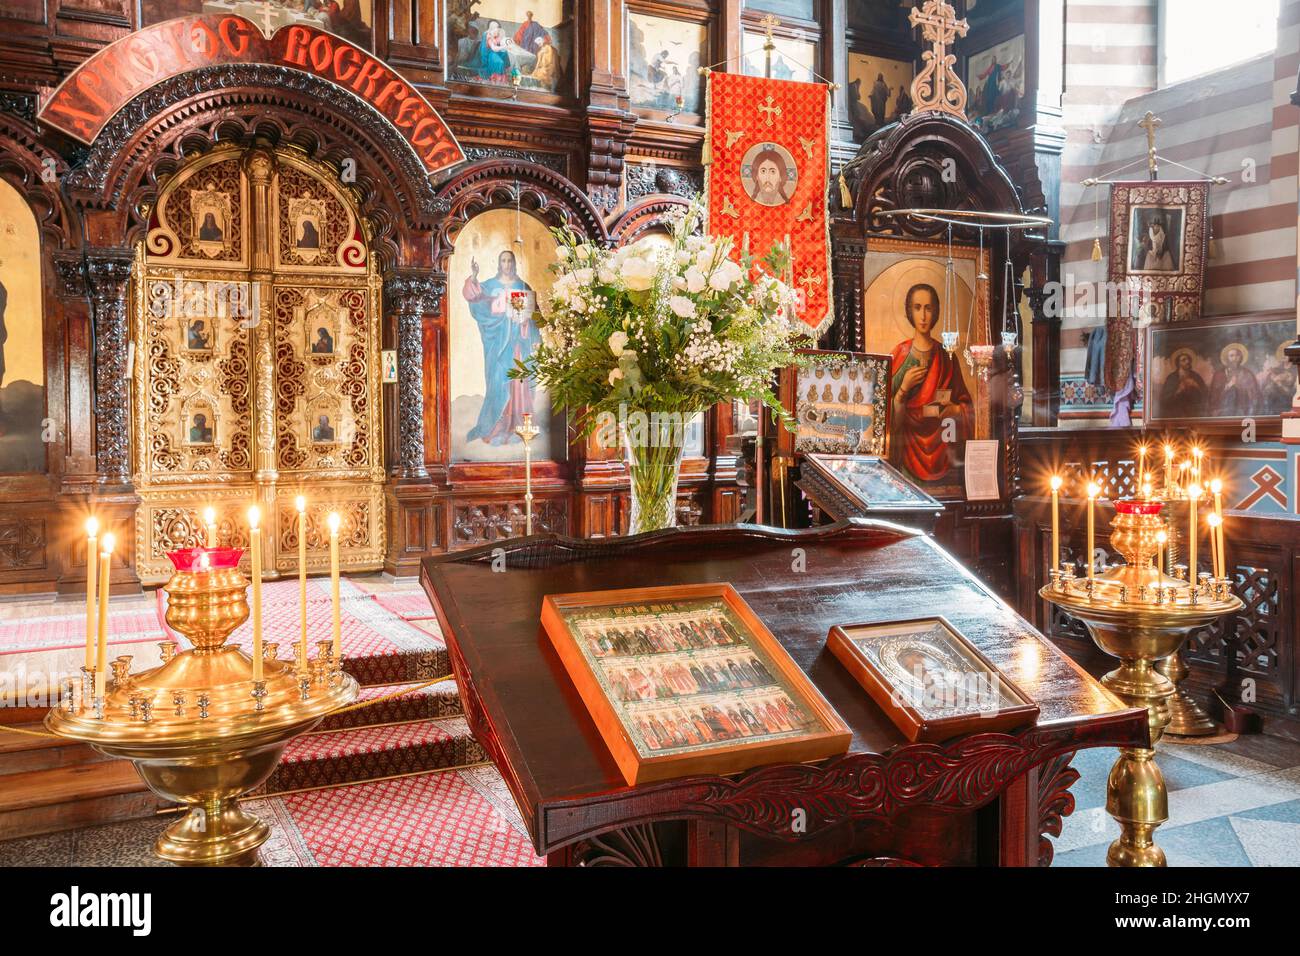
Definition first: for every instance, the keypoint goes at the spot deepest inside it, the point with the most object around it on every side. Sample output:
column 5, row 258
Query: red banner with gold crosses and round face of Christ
column 769, row 163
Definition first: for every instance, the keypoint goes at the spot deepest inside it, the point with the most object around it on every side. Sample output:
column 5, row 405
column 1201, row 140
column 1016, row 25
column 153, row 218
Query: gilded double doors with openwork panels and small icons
column 257, row 364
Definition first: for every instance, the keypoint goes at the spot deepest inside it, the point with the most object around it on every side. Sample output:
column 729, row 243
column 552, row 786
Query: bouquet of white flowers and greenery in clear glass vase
column 639, row 340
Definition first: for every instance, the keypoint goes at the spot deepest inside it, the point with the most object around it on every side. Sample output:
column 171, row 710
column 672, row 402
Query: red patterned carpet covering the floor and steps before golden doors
column 401, row 784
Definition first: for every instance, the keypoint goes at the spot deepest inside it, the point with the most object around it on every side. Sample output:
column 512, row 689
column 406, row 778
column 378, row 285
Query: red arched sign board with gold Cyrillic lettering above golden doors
column 93, row 94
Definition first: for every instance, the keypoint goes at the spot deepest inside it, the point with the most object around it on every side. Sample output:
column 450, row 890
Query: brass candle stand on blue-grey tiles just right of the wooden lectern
column 1139, row 615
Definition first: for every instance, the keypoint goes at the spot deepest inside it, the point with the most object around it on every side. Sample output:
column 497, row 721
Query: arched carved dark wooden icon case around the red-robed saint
column 882, row 262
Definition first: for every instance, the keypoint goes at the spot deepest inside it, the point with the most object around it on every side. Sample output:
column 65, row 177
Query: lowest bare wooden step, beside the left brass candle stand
column 45, row 802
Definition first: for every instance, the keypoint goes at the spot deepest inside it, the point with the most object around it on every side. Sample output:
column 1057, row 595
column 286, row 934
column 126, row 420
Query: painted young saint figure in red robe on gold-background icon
column 928, row 390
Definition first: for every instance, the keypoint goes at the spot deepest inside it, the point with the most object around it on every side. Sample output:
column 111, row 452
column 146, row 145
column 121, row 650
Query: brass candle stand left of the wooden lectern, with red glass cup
column 200, row 730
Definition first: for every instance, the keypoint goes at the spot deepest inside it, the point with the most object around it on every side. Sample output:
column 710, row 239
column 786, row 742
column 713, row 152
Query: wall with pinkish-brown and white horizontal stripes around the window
column 1237, row 123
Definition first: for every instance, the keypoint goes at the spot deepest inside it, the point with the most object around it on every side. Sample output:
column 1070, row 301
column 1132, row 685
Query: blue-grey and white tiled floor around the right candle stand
column 1233, row 804
